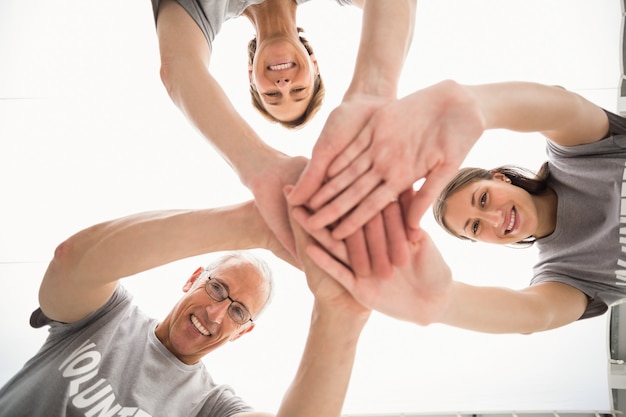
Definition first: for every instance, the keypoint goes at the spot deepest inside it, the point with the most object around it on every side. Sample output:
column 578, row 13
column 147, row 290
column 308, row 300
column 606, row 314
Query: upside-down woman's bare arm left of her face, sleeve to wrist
column 185, row 58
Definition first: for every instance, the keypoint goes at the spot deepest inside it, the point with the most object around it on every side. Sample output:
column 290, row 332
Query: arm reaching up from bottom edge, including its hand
column 321, row 382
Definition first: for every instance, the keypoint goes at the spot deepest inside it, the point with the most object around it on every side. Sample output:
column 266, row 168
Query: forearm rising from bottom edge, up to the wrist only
column 322, row 379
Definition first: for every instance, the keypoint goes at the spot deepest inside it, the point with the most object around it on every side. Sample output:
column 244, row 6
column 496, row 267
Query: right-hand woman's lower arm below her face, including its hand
column 422, row 291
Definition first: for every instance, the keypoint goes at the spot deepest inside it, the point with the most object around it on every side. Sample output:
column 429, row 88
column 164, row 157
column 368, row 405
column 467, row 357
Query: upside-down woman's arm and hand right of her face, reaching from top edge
column 386, row 35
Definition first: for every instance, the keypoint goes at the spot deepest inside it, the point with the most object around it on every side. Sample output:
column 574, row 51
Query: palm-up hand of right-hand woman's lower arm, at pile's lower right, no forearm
column 418, row 291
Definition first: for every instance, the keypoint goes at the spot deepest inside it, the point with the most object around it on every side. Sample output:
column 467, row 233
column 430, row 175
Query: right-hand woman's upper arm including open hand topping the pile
column 428, row 134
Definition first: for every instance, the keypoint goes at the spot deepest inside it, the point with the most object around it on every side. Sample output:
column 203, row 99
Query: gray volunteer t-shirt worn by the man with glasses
column 112, row 364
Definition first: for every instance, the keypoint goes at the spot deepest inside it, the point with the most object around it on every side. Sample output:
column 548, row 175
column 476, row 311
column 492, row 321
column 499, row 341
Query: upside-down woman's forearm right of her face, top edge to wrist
column 386, row 36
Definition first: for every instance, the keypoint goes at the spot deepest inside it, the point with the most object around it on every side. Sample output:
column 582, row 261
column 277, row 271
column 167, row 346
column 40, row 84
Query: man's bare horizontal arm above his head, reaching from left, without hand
column 129, row 245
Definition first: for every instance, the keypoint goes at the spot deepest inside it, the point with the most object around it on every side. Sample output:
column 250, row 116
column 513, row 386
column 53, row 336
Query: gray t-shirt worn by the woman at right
column 587, row 249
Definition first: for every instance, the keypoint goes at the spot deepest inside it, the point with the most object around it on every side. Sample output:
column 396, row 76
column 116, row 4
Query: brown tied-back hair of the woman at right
column 533, row 183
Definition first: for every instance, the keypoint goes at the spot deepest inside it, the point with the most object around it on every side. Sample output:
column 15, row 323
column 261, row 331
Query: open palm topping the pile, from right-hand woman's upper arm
column 424, row 135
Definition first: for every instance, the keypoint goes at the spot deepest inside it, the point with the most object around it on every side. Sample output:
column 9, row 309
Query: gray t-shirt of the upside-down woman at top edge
column 210, row 15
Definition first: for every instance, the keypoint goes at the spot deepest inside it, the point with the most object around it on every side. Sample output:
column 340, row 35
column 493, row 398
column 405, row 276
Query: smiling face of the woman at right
column 492, row 211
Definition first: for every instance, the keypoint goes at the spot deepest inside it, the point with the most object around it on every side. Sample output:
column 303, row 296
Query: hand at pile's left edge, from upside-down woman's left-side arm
column 267, row 187
